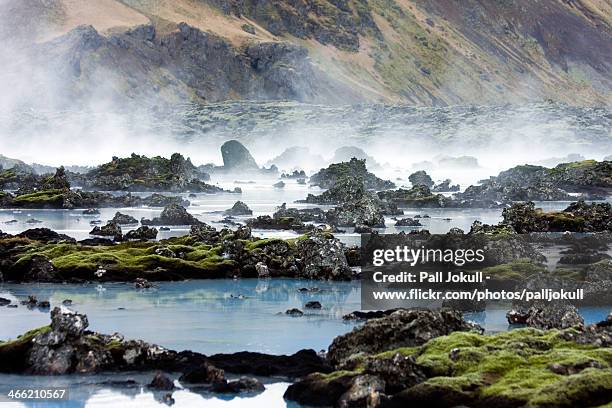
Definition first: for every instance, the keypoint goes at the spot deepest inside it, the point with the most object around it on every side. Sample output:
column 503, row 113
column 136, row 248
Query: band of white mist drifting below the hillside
column 399, row 138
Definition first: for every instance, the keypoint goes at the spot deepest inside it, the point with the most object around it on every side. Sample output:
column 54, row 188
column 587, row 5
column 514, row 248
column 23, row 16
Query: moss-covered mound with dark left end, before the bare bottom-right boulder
column 520, row 368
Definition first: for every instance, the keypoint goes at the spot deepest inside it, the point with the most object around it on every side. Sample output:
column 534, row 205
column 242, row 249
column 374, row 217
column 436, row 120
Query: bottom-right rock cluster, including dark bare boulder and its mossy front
column 436, row 358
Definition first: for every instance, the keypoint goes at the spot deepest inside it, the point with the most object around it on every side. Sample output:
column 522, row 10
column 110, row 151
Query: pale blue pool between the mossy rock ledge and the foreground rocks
column 199, row 315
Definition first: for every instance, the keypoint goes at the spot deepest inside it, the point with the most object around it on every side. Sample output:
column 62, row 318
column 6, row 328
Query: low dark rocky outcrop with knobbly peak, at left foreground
column 66, row 346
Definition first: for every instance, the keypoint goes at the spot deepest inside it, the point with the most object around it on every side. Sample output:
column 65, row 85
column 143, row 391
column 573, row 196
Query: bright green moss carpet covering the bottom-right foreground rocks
column 511, row 366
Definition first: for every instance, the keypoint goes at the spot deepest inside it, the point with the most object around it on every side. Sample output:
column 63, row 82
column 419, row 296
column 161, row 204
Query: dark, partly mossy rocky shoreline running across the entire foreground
column 430, row 358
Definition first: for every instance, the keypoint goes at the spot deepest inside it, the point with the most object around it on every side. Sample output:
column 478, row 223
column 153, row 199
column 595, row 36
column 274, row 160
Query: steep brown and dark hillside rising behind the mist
column 430, row 52
